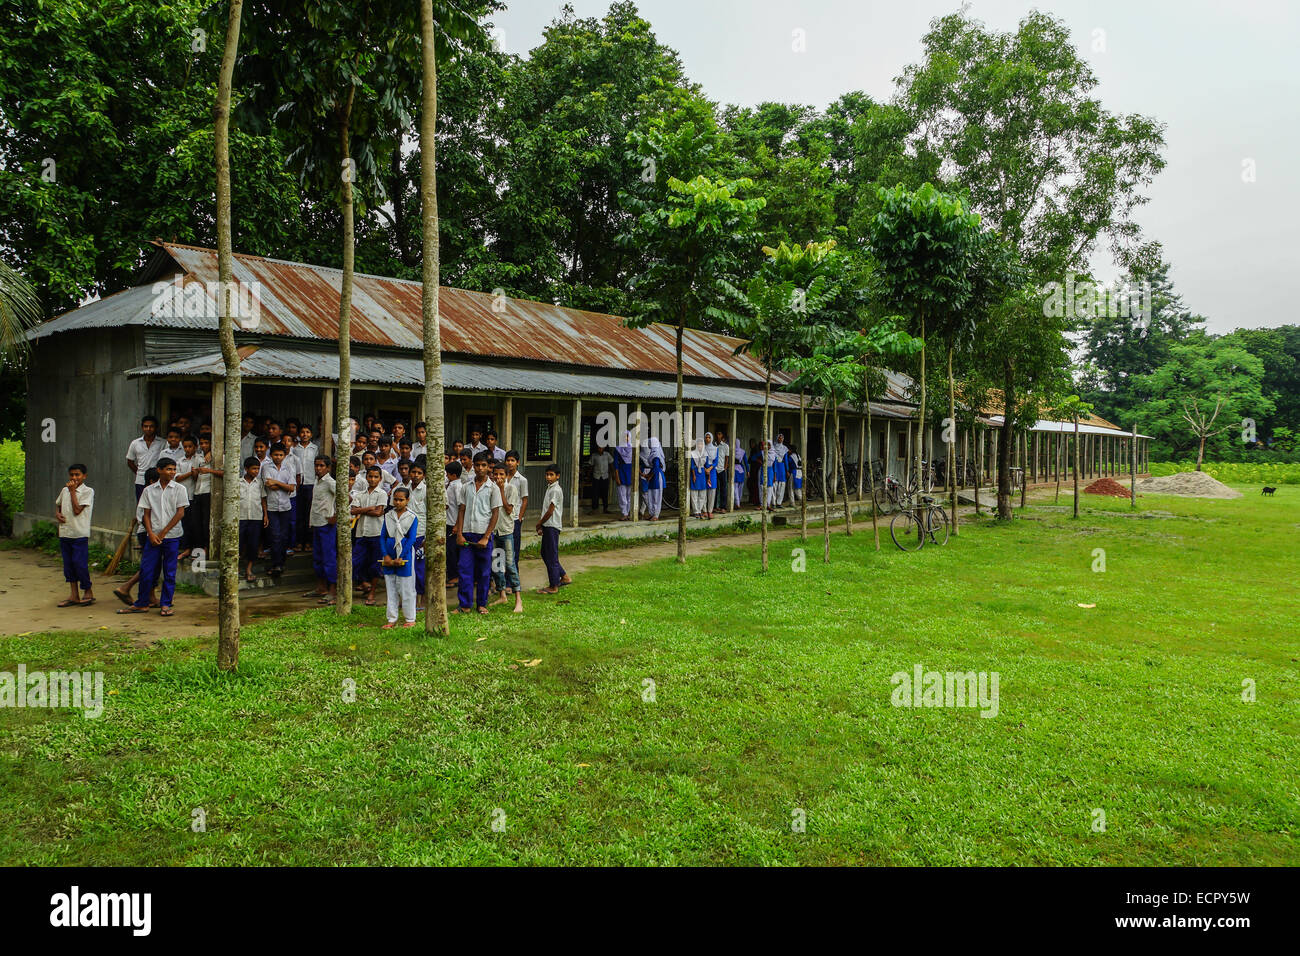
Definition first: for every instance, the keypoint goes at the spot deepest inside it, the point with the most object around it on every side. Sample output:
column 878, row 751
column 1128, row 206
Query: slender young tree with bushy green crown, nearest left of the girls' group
column 694, row 236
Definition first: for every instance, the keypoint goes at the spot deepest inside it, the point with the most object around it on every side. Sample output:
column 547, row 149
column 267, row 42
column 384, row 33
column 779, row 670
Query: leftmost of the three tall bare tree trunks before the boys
column 228, row 600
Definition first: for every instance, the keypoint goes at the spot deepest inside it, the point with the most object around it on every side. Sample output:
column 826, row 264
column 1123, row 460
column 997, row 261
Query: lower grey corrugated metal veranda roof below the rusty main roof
column 307, row 365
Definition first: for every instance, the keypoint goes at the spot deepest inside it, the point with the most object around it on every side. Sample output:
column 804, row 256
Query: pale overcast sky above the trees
column 1223, row 77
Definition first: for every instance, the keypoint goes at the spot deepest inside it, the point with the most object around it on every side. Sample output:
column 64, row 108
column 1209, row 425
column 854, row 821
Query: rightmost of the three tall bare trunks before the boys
column 436, row 503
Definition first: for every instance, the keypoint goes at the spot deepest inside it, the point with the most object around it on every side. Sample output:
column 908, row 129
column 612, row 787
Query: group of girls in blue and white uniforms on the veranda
column 769, row 475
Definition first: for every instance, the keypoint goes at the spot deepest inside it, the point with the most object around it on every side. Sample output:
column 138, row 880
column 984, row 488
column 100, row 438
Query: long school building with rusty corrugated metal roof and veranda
column 538, row 374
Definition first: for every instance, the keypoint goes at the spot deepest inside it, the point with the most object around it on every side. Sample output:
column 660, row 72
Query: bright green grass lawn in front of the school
column 772, row 695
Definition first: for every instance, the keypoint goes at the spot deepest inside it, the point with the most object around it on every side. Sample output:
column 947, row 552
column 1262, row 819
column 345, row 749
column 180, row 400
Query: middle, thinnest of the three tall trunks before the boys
column 343, row 503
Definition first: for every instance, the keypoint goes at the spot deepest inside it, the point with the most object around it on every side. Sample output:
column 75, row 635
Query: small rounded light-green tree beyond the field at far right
column 1206, row 390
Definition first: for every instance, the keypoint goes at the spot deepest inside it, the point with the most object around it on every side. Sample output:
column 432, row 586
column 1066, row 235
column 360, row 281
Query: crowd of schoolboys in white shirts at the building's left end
column 288, row 503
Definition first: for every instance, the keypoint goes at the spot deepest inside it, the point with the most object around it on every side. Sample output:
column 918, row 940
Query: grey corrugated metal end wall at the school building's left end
column 76, row 380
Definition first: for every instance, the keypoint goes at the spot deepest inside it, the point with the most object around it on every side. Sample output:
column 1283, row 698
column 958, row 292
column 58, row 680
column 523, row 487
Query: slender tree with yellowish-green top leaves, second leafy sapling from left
column 794, row 284
